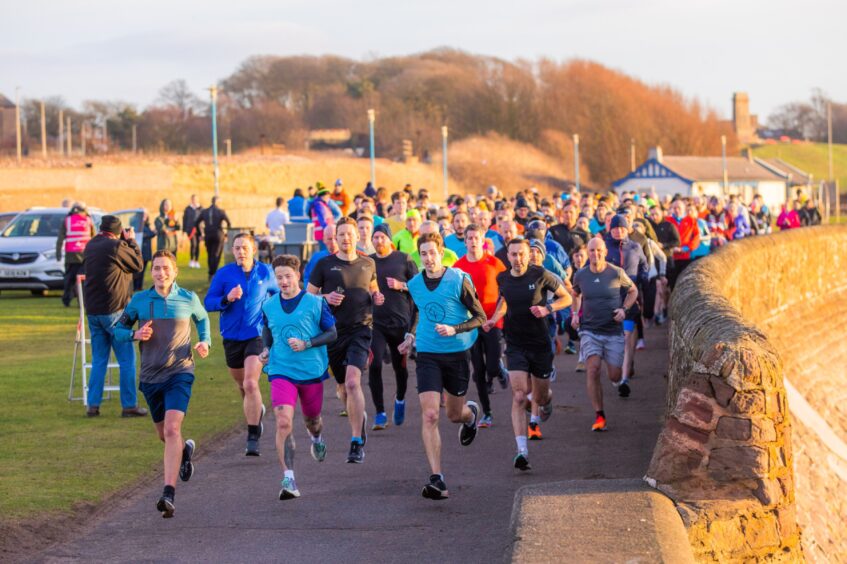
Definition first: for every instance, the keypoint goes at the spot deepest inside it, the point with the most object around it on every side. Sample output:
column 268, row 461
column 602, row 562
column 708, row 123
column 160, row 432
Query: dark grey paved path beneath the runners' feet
column 374, row 512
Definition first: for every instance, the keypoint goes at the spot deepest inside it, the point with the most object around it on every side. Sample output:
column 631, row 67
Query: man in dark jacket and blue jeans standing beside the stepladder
column 112, row 257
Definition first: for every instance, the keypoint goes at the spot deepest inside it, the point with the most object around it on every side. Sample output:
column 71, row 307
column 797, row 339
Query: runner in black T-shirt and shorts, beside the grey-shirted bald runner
column 529, row 355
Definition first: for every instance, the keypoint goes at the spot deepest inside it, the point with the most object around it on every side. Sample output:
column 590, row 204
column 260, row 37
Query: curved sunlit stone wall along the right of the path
column 759, row 313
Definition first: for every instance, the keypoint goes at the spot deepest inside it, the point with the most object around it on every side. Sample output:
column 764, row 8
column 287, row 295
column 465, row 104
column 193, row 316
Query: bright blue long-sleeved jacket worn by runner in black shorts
column 241, row 320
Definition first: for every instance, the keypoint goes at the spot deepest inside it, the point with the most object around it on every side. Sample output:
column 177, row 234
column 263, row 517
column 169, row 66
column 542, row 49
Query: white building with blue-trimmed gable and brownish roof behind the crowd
column 704, row 176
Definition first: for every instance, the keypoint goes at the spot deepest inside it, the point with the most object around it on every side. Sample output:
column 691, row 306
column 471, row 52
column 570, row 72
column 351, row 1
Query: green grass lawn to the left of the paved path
column 53, row 457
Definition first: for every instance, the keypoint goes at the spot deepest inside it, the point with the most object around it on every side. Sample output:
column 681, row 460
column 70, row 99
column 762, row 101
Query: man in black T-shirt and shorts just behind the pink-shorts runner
column 347, row 281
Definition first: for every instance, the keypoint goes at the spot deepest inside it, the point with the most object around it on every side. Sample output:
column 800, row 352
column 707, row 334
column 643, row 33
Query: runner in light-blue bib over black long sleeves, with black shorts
column 449, row 311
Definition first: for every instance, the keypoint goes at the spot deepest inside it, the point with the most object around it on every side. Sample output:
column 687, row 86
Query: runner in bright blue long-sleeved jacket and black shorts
column 238, row 291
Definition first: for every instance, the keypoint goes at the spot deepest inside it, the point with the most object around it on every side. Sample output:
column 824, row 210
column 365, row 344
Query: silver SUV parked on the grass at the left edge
column 28, row 250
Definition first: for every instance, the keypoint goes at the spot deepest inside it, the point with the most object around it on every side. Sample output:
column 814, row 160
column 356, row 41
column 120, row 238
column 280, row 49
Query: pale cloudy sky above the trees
column 775, row 50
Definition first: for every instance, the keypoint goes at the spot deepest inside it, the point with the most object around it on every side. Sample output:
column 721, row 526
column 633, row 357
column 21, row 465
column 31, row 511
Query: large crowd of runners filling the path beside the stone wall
column 487, row 287
